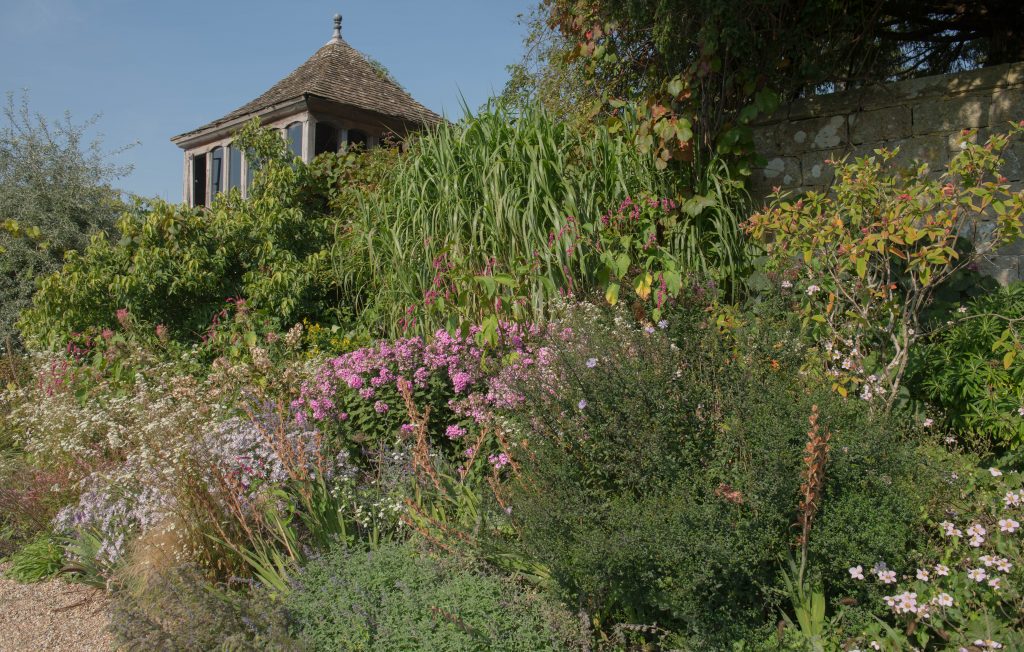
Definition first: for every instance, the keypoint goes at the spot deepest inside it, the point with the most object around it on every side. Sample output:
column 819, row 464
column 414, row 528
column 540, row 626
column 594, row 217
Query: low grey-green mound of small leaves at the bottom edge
column 397, row 598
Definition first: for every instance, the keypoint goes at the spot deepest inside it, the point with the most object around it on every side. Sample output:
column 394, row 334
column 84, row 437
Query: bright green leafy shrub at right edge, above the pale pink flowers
column 968, row 370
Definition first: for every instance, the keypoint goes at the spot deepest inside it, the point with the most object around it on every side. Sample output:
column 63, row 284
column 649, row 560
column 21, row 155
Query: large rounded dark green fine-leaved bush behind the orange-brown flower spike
column 663, row 477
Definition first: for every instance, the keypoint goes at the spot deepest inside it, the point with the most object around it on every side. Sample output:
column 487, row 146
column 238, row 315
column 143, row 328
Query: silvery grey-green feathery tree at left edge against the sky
column 56, row 192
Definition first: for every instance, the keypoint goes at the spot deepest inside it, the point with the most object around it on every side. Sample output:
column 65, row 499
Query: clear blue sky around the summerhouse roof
column 158, row 68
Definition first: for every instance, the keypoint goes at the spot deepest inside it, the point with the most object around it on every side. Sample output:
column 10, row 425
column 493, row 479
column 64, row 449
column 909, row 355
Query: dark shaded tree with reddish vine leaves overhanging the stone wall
column 702, row 70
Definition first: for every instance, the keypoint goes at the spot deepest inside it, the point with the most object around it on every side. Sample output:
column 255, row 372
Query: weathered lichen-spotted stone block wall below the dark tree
column 923, row 117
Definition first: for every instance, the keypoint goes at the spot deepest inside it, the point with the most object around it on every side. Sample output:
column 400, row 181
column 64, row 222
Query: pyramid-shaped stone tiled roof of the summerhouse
column 337, row 73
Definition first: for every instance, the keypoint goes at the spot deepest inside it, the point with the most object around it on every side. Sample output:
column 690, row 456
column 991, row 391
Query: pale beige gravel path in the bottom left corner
column 52, row 616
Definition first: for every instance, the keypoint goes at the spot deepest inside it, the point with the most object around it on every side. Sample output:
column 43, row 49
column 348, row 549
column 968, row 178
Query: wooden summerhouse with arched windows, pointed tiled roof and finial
column 335, row 100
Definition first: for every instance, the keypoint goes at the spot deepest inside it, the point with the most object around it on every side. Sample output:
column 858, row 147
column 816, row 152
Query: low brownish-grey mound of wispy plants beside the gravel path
column 182, row 611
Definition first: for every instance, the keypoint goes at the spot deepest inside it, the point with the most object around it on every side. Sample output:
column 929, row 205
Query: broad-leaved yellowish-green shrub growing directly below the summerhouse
column 177, row 267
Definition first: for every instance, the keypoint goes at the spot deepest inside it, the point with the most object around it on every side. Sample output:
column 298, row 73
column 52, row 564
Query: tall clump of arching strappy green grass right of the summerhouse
column 498, row 214
